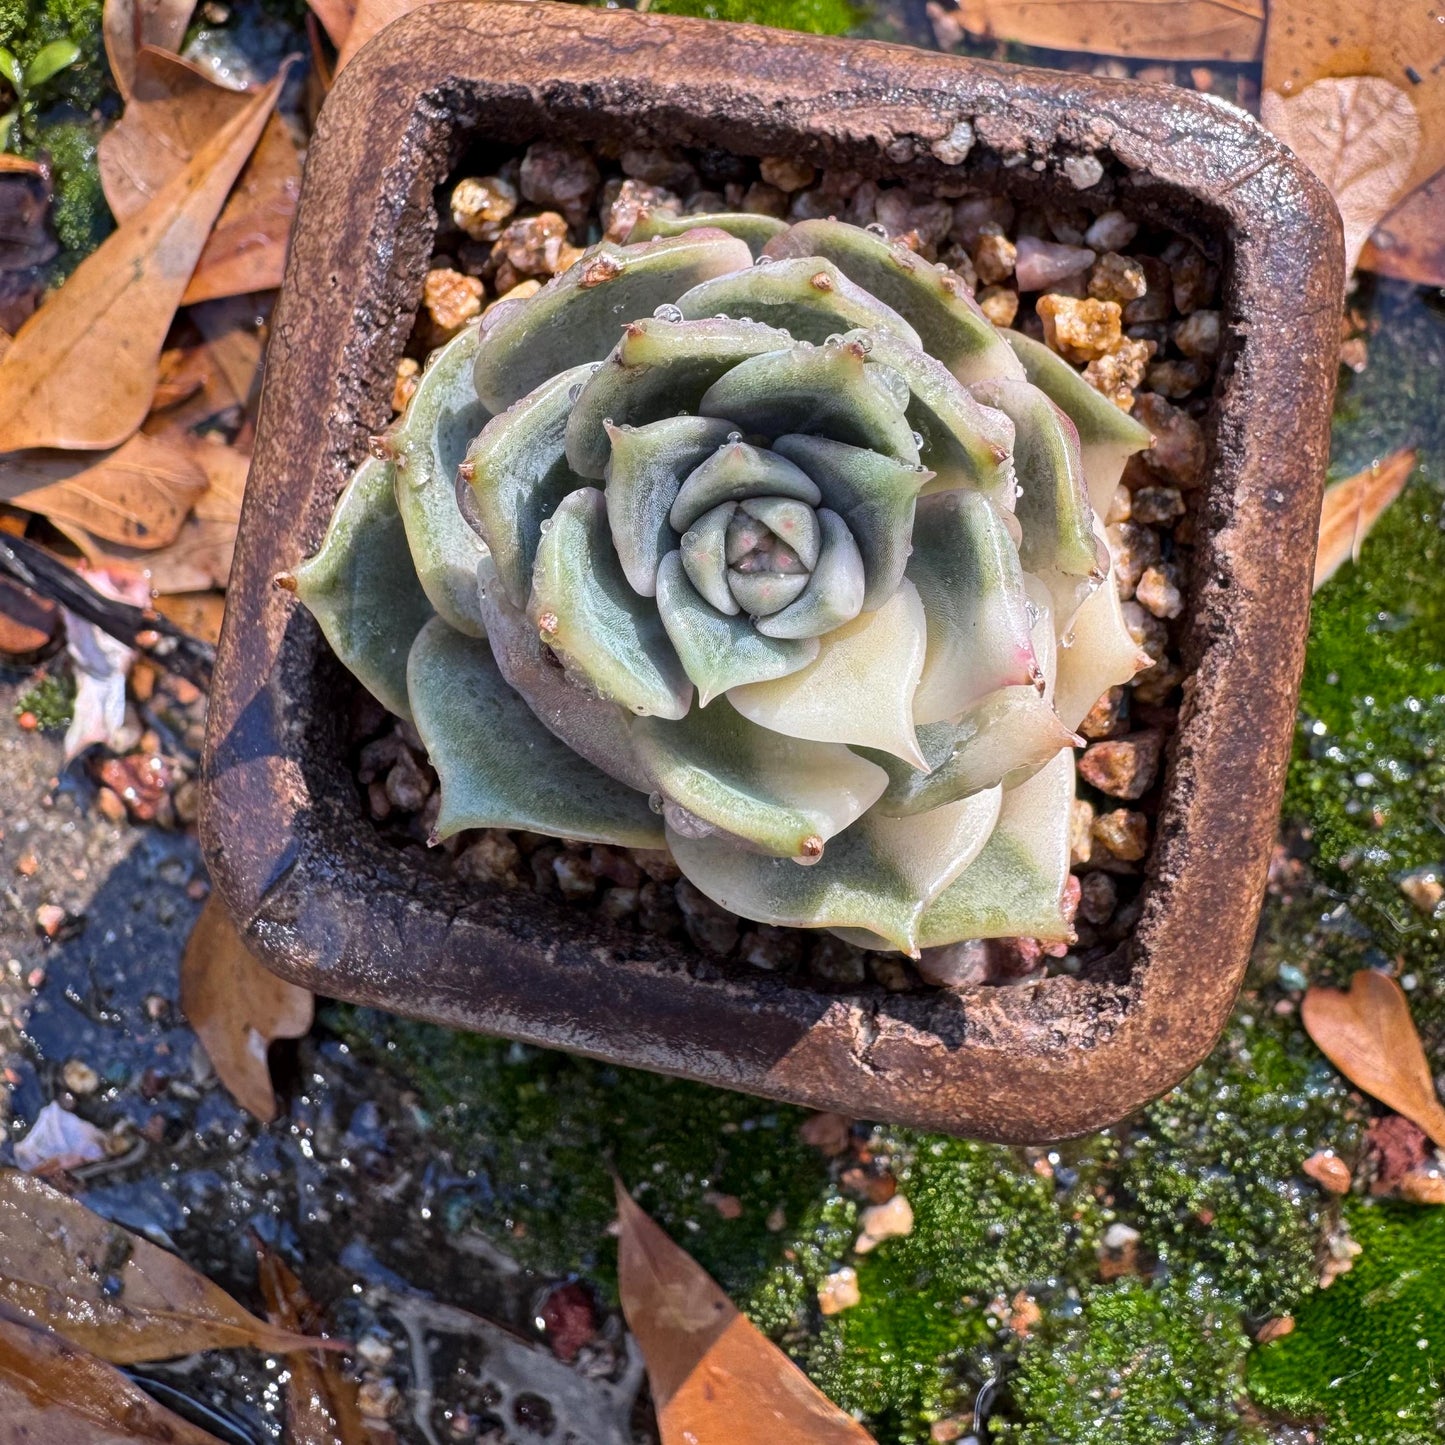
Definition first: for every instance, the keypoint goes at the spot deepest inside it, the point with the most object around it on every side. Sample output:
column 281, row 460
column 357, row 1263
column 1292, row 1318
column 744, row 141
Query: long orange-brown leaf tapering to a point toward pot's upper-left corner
column 82, row 372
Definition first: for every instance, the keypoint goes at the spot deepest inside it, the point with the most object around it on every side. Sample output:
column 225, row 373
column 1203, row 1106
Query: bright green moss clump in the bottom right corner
column 1369, row 1355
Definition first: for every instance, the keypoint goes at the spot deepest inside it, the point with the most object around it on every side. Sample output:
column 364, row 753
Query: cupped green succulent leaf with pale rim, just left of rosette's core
column 606, row 635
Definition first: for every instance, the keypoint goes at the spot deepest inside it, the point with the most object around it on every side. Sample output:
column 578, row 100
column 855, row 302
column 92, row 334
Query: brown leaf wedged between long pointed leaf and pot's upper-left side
column 248, row 248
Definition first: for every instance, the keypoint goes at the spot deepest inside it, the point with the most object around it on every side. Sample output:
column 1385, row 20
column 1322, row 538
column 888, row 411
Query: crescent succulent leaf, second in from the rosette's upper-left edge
column 518, row 473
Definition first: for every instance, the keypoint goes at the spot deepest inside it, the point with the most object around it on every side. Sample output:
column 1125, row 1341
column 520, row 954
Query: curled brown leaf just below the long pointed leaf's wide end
column 139, row 495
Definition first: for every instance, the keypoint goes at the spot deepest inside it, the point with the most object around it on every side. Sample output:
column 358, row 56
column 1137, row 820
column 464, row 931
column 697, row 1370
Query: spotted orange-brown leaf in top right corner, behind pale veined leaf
column 1401, row 43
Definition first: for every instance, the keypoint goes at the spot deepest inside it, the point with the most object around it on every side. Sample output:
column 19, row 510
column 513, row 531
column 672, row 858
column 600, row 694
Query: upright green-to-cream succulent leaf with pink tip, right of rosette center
column 967, row 573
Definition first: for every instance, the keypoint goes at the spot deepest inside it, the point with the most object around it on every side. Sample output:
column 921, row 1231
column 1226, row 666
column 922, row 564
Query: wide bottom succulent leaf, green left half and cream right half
column 879, row 875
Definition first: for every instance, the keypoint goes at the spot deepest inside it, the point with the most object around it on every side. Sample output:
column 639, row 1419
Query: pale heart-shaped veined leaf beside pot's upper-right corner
column 1360, row 135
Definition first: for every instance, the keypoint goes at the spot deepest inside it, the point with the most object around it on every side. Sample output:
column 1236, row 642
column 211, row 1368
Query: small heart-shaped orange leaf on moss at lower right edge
column 1369, row 1035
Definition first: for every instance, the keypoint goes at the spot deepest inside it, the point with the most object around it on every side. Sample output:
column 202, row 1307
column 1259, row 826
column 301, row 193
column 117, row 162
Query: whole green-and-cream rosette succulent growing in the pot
column 761, row 541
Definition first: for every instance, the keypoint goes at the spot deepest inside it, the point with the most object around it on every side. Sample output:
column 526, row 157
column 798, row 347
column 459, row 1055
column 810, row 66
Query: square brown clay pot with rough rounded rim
column 327, row 902
